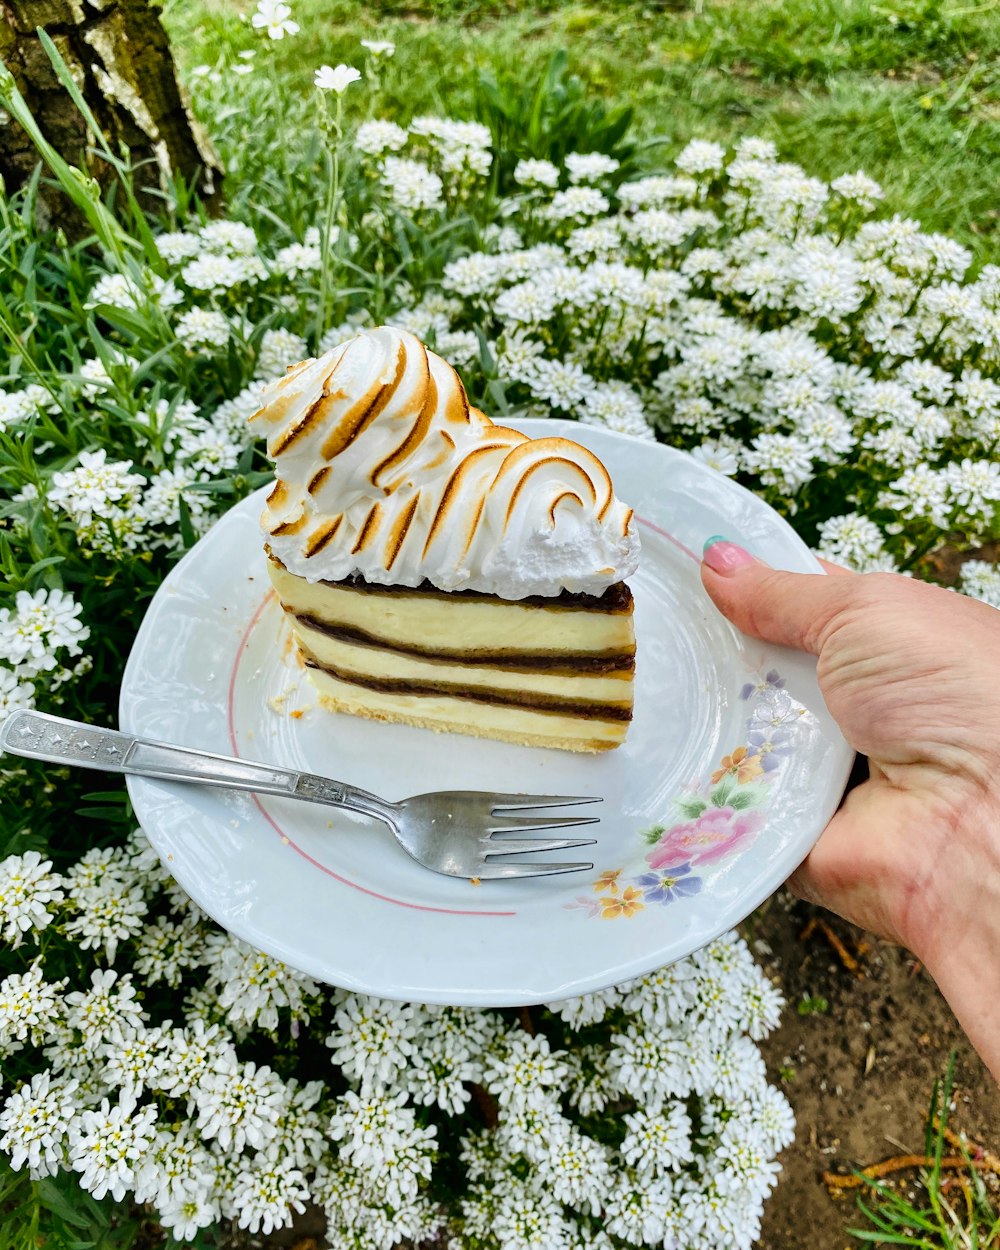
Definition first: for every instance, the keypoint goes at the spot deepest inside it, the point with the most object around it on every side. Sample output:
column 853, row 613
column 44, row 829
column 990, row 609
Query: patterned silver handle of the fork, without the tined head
column 41, row 737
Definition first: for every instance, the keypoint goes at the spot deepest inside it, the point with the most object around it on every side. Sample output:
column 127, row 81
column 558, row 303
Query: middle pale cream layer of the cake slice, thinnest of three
column 382, row 664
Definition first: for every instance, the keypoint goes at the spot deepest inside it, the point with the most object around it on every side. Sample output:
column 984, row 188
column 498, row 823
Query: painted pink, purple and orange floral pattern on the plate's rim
column 719, row 818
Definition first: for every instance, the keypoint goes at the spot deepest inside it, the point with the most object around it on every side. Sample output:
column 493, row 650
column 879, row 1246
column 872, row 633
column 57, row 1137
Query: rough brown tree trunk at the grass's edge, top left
column 119, row 56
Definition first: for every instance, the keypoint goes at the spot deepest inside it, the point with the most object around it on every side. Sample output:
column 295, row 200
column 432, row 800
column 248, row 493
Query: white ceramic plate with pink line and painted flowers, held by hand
column 732, row 769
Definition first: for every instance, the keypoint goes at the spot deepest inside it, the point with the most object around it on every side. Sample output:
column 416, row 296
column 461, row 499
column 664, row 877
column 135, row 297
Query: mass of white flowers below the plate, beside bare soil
column 168, row 1109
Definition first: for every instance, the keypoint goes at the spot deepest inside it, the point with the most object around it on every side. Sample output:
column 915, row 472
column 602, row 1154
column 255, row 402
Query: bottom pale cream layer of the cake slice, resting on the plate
column 528, row 727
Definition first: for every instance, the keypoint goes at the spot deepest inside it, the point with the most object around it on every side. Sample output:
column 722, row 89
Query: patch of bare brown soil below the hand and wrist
column 858, row 1064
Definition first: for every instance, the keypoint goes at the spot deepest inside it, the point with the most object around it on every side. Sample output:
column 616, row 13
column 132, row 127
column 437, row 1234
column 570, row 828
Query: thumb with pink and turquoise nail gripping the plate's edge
column 791, row 609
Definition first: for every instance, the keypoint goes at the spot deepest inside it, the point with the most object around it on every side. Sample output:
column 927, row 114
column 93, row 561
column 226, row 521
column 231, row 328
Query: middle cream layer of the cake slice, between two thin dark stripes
column 379, row 664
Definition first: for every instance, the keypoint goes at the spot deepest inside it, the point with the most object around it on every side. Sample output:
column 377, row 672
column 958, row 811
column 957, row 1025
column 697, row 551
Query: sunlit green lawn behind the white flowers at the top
column 908, row 91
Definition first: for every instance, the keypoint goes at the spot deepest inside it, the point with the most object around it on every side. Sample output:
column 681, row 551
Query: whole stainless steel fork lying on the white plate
column 459, row 833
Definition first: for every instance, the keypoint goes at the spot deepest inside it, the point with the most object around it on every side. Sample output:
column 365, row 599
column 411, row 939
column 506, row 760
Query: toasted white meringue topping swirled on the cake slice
column 384, row 471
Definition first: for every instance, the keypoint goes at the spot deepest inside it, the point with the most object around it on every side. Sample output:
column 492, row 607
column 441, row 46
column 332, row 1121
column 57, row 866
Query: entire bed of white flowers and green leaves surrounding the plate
column 843, row 366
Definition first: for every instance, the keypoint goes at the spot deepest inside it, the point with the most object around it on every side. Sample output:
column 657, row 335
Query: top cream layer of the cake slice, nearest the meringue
column 464, row 628
